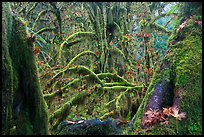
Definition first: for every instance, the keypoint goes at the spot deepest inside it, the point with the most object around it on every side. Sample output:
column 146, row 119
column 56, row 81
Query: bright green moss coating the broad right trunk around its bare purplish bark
column 184, row 59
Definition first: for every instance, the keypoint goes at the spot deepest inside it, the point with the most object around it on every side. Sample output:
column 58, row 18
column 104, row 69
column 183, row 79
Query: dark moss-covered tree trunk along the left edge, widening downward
column 24, row 108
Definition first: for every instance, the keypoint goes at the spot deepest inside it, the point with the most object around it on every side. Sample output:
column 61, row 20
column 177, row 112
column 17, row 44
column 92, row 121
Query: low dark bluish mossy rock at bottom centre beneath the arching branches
column 90, row 127
